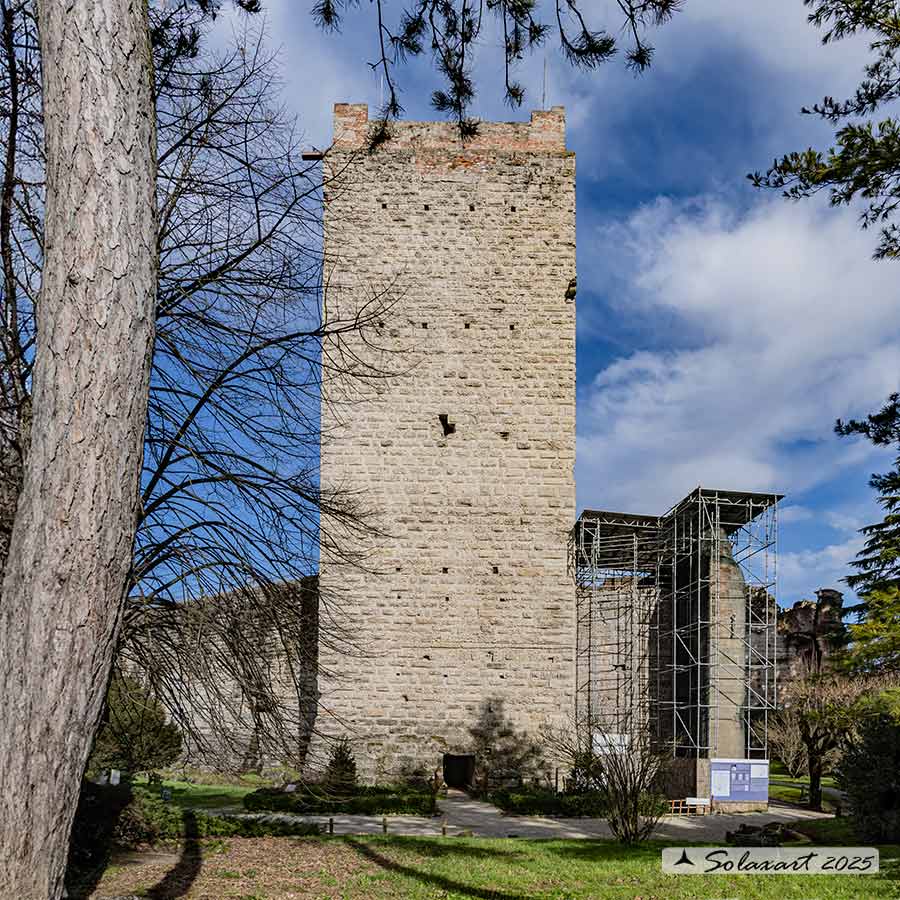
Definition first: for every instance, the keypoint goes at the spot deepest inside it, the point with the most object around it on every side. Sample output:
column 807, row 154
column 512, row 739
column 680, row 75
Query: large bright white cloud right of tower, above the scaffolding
column 778, row 322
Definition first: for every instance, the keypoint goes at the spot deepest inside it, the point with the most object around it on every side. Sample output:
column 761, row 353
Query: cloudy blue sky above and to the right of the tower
column 721, row 330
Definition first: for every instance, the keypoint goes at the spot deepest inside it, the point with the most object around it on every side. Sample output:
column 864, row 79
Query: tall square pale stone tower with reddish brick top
column 466, row 613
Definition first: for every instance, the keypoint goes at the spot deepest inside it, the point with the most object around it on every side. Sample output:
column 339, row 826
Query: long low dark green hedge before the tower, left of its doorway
column 368, row 801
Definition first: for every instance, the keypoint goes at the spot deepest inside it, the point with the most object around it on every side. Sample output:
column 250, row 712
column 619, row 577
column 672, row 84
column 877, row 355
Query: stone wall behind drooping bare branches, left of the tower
column 237, row 673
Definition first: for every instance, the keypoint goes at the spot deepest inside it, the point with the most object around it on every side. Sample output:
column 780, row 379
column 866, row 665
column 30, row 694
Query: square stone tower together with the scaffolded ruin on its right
column 481, row 597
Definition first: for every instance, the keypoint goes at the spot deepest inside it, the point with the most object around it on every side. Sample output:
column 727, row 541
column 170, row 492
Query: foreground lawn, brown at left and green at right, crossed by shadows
column 501, row 869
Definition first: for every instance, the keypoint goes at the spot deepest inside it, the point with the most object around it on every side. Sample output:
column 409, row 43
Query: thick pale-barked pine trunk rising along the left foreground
column 74, row 527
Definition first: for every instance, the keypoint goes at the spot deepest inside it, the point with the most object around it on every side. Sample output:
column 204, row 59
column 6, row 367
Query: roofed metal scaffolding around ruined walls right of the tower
column 676, row 624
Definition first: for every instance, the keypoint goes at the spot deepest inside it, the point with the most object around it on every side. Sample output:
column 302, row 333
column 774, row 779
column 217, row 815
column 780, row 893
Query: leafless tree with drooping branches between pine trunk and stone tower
column 220, row 602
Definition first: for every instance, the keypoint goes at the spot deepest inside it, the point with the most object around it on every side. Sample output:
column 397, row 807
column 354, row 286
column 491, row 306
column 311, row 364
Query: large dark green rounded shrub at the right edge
column 869, row 772
